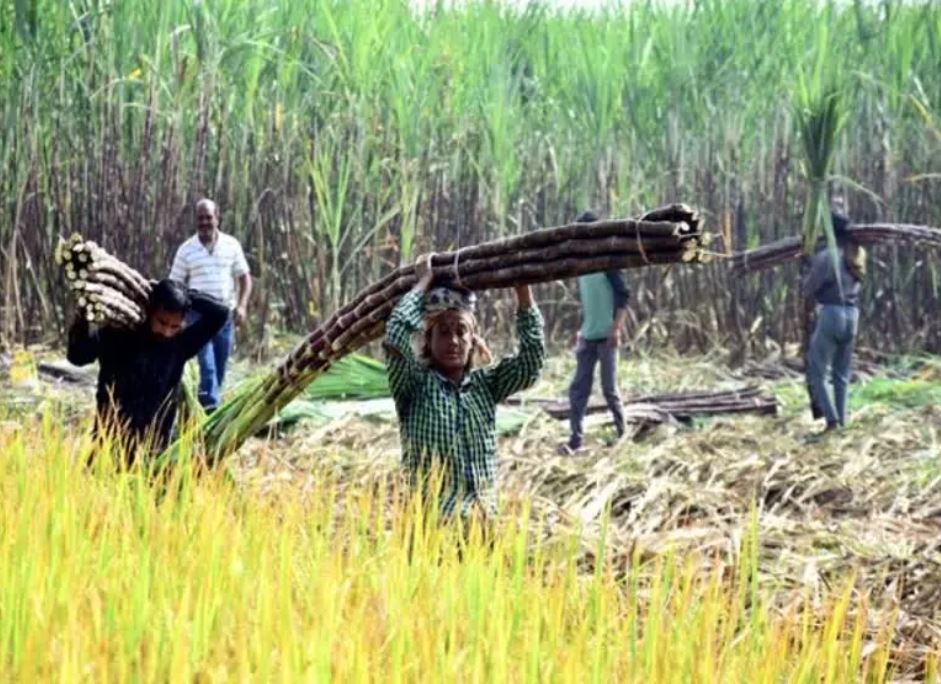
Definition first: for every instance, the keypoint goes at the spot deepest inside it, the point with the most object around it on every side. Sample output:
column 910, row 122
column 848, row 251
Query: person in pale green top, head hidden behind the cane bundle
column 604, row 298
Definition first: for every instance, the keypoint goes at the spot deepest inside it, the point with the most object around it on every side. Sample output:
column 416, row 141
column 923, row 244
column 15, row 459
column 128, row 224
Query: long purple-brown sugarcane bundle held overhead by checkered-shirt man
column 665, row 236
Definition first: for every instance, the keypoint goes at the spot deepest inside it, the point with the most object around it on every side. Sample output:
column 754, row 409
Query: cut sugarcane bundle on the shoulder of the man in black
column 107, row 291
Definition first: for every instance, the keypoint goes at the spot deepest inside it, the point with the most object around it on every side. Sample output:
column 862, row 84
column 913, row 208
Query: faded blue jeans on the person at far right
column 831, row 348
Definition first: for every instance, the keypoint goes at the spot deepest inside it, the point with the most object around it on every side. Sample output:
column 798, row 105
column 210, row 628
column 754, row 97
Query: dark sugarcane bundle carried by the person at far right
column 789, row 249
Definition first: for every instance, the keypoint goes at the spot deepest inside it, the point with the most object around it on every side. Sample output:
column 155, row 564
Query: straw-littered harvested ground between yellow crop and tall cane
column 861, row 509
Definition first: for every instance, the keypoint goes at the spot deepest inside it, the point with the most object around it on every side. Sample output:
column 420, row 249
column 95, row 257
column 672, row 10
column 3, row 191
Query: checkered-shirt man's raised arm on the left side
column 402, row 367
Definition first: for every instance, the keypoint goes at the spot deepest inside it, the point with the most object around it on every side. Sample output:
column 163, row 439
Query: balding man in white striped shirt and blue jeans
column 213, row 262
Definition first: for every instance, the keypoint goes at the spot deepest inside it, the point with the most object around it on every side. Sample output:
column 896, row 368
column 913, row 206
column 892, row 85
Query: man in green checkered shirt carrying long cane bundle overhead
column 446, row 405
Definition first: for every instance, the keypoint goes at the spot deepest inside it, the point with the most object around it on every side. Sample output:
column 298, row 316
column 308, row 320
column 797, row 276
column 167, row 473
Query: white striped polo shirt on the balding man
column 213, row 272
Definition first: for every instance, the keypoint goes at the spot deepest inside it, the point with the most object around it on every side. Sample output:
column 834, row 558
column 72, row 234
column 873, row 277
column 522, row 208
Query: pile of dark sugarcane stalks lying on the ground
column 683, row 406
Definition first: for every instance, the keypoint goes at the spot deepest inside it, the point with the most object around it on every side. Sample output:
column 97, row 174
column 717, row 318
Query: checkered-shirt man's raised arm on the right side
column 517, row 372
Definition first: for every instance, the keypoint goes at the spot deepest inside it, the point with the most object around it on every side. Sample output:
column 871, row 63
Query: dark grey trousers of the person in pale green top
column 588, row 353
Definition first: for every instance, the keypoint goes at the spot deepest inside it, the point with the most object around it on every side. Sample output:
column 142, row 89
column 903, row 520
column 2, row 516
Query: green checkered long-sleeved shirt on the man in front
column 454, row 427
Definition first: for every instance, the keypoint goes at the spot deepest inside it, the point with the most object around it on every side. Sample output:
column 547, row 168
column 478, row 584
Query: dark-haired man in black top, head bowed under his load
column 140, row 369
